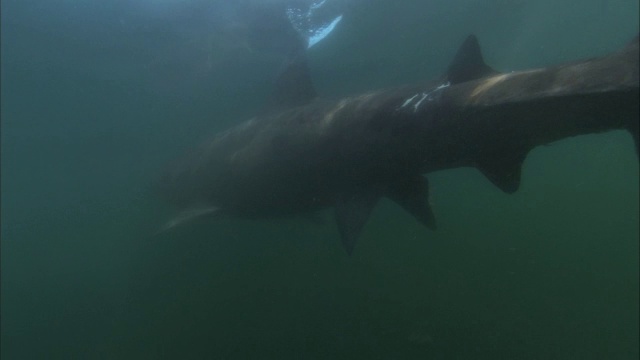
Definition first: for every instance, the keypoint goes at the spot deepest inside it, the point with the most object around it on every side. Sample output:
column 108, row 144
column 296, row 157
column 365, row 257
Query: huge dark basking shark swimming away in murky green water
column 305, row 153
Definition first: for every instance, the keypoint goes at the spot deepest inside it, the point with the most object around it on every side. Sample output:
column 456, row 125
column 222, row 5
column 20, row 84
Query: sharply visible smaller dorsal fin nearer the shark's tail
column 468, row 63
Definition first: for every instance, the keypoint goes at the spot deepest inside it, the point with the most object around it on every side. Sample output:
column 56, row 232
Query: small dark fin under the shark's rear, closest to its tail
column 504, row 170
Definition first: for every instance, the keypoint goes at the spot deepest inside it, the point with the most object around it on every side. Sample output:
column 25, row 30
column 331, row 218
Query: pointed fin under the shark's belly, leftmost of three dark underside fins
column 351, row 215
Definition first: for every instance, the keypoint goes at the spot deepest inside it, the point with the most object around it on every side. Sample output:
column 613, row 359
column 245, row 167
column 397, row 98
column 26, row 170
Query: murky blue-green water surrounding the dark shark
column 97, row 96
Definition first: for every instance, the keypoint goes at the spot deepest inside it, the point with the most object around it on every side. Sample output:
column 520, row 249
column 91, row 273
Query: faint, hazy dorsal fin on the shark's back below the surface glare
column 293, row 86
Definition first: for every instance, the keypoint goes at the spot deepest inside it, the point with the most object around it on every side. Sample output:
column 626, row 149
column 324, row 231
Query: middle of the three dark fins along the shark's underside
column 412, row 194
